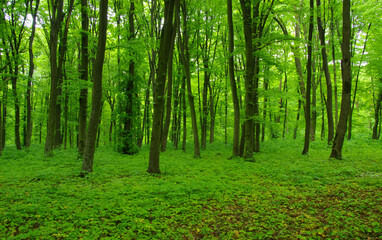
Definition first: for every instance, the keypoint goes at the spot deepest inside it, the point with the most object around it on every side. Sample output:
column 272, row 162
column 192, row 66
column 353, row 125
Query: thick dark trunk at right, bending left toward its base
column 346, row 83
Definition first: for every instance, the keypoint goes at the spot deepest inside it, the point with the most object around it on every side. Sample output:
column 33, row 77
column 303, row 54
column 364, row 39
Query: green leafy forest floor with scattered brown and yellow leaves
column 282, row 195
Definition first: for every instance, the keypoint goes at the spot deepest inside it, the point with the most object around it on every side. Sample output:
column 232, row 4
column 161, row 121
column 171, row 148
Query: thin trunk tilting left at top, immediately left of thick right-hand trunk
column 329, row 91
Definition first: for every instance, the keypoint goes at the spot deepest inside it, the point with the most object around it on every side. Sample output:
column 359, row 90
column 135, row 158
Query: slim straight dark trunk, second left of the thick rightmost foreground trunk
column 308, row 81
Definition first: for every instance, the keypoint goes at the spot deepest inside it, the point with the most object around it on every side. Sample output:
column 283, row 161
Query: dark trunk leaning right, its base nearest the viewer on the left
column 88, row 155
